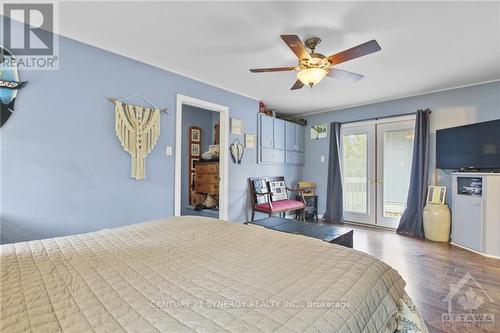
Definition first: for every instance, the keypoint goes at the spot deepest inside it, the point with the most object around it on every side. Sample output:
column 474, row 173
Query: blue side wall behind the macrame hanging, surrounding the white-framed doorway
column 63, row 170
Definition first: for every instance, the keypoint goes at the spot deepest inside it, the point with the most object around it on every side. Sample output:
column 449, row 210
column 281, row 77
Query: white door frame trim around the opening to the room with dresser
column 223, row 157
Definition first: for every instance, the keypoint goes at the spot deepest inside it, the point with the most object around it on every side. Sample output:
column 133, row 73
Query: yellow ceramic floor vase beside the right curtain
column 437, row 222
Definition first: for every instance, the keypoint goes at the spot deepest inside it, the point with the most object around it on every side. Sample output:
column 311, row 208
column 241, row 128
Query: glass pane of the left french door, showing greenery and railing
column 355, row 172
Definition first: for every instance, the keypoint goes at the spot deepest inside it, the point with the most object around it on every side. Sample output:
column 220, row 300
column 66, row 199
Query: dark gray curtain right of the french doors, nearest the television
column 411, row 223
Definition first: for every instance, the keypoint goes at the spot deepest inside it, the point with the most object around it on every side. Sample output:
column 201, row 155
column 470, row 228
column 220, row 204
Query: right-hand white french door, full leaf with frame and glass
column 394, row 155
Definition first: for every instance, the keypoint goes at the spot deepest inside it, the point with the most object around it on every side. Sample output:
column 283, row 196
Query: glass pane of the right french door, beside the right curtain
column 398, row 147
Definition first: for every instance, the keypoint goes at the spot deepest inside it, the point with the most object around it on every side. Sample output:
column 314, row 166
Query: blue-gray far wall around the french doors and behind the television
column 449, row 108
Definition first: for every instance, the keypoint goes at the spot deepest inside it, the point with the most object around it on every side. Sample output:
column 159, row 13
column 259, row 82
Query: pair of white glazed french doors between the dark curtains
column 376, row 164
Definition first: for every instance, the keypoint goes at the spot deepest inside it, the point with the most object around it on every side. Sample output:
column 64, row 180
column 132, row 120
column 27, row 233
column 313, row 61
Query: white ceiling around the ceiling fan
column 425, row 46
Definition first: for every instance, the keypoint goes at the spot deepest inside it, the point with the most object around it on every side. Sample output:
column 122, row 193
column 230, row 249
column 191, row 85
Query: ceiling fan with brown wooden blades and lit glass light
column 313, row 67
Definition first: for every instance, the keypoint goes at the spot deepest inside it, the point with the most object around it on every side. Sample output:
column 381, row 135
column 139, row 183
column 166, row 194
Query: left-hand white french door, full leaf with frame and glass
column 358, row 173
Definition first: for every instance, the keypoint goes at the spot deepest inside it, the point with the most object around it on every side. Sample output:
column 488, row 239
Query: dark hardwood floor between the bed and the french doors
column 428, row 269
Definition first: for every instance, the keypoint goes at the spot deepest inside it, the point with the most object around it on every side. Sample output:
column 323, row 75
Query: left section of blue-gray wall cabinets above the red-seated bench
column 271, row 140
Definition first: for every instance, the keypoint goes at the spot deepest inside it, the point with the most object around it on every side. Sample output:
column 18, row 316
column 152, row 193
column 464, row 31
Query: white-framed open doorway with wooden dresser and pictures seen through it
column 201, row 164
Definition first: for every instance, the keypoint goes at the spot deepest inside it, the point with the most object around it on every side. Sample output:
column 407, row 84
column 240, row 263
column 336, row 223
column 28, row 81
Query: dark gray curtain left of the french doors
column 334, row 205
